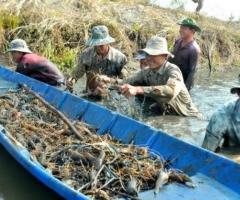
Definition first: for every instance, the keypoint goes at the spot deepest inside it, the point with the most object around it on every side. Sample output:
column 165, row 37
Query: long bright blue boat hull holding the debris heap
column 216, row 177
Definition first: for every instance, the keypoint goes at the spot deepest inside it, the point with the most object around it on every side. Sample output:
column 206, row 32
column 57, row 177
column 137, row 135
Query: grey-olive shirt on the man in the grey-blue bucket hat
column 89, row 61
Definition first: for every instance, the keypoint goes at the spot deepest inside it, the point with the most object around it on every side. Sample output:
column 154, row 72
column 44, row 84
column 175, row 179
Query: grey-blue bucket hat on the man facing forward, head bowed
column 100, row 36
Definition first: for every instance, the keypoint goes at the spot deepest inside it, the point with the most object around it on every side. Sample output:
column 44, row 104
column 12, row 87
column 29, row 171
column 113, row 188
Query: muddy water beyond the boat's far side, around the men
column 210, row 93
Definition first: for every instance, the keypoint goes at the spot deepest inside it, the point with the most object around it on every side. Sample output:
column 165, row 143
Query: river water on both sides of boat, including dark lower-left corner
column 209, row 93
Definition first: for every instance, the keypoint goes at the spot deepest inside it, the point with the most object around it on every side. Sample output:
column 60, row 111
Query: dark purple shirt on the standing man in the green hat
column 186, row 58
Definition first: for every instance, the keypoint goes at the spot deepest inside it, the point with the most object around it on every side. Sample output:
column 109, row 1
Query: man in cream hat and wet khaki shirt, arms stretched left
column 162, row 81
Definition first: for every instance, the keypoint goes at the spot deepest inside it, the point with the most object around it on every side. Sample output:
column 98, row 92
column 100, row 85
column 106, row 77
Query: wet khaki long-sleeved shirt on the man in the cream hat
column 166, row 86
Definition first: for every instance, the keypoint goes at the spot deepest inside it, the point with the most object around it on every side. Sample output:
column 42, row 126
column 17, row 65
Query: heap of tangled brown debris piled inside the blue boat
column 97, row 166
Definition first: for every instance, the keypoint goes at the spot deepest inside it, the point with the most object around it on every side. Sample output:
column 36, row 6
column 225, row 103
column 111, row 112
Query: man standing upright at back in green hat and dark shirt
column 186, row 51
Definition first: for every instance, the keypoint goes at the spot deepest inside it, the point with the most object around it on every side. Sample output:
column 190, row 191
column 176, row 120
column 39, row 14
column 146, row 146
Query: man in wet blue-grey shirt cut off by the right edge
column 224, row 125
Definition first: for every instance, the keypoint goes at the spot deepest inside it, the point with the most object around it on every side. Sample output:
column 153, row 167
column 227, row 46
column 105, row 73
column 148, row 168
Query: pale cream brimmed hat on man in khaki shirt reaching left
column 157, row 46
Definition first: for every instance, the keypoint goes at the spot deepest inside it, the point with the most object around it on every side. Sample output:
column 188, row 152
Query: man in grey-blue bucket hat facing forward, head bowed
column 100, row 57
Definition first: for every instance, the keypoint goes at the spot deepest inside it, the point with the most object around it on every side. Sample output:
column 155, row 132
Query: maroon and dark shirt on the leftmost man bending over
column 40, row 68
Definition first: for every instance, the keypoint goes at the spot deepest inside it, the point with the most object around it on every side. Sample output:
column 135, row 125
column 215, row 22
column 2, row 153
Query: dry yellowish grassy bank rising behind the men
column 58, row 29
